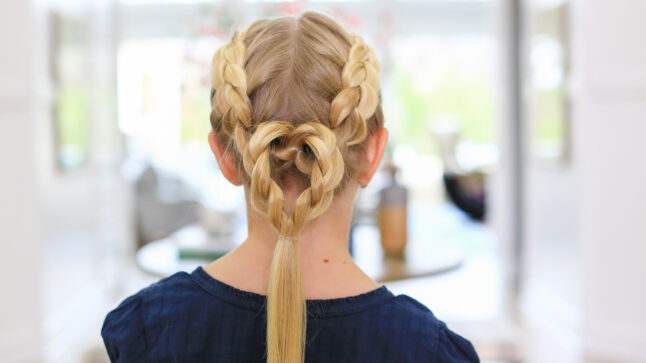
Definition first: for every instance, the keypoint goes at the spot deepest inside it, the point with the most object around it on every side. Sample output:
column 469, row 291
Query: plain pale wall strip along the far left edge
column 20, row 222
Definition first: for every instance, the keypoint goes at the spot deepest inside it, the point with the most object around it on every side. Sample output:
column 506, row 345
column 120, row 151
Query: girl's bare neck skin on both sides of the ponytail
column 327, row 268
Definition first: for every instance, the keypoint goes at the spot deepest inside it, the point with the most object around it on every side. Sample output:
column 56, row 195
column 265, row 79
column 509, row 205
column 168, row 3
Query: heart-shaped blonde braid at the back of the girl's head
column 286, row 142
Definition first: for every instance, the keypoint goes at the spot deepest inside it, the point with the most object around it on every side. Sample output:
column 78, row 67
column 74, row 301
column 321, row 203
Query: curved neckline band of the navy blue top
column 315, row 307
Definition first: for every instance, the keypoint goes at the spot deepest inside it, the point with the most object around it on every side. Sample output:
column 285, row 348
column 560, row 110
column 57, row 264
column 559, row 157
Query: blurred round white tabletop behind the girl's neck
column 424, row 256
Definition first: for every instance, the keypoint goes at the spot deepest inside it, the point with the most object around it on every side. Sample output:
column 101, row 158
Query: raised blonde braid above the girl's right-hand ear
column 359, row 98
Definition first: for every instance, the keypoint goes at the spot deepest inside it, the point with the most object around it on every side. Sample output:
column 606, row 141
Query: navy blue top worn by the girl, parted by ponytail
column 196, row 318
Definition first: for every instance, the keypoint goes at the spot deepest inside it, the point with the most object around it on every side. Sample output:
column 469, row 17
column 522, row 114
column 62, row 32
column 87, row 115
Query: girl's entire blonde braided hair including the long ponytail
column 294, row 98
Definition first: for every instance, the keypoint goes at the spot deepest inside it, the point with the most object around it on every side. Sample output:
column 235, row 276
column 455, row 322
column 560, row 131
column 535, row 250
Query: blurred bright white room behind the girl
column 510, row 203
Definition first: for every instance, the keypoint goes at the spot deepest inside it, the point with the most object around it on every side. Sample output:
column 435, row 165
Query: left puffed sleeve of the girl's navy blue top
column 123, row 331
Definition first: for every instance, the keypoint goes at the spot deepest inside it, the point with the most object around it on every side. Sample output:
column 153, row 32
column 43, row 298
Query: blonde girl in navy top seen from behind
column 297, row 120
